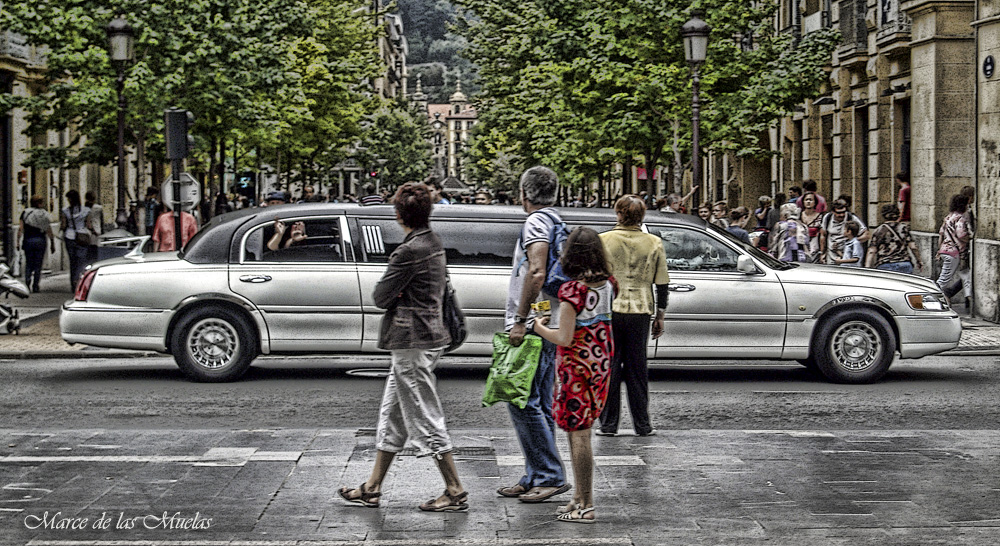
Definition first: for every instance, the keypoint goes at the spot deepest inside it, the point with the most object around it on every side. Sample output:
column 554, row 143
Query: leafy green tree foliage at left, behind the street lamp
column 267, row 73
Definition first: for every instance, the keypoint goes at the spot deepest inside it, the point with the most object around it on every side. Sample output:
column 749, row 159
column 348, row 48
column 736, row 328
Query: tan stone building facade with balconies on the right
column 908, row 91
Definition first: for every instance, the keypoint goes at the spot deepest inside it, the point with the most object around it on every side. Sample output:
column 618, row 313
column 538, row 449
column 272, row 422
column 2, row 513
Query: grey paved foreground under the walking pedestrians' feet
column 274, row 487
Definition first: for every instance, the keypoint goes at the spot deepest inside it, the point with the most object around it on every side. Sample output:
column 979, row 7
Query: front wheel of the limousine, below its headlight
column 855, row 346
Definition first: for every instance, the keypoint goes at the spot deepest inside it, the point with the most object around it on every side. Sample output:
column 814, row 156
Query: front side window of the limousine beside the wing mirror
column 690, row 250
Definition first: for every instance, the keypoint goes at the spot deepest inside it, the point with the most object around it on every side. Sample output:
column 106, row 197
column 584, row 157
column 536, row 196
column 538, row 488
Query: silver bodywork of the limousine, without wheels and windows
column 327, row 306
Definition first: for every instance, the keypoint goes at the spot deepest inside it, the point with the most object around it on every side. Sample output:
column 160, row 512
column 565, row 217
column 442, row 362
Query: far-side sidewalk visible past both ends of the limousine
column 39, row 337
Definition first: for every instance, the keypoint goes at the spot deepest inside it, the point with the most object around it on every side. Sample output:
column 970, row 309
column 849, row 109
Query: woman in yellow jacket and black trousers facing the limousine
column 640, row 262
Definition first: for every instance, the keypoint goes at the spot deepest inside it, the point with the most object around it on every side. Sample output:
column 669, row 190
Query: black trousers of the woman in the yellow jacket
column 631, row 333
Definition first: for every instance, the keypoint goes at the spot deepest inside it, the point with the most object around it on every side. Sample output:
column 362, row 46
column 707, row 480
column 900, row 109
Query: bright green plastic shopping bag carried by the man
column 513, row 370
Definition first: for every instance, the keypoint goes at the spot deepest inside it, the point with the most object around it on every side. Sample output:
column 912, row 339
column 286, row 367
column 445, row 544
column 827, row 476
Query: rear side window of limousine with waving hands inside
column 322, row 242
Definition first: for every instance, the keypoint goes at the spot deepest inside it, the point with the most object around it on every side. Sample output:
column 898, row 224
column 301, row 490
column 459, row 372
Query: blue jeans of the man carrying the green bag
column 536, row 430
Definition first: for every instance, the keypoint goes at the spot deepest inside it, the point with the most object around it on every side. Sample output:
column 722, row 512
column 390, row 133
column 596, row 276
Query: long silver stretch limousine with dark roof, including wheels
column 236, row 292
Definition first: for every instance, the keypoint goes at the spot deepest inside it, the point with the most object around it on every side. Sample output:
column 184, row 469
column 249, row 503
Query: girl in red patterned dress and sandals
column 583, row 366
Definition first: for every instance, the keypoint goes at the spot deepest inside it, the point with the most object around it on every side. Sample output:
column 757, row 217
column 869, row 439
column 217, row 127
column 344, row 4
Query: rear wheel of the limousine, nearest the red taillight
column 213, row 344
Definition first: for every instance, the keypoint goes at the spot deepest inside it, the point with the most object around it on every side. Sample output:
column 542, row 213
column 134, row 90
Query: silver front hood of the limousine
column 856, row 276
